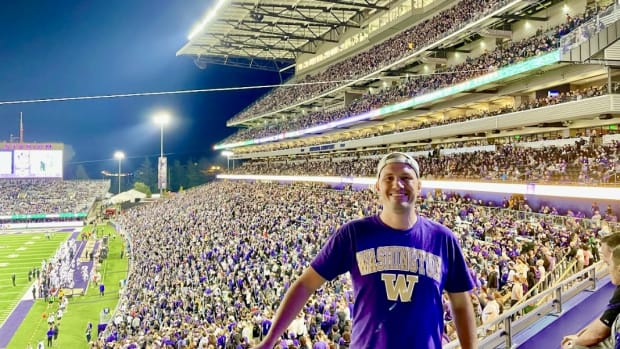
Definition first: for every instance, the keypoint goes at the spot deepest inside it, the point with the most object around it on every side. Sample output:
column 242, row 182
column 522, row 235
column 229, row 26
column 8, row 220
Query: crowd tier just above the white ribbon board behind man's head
column 582, row 162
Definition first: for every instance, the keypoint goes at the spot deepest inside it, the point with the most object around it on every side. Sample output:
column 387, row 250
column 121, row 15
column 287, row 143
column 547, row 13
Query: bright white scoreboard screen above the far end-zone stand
column 31, row 160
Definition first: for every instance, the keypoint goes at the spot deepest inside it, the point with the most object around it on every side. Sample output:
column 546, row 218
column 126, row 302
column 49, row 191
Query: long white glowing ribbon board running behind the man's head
column 562, row 191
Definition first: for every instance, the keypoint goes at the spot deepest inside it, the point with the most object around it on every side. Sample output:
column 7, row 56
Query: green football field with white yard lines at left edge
column 19, row 253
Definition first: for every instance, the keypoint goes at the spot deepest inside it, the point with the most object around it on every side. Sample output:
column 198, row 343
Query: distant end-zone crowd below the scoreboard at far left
column 49, row 196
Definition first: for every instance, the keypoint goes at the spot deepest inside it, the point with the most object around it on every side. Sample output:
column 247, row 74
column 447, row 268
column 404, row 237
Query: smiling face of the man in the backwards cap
column 398, row 188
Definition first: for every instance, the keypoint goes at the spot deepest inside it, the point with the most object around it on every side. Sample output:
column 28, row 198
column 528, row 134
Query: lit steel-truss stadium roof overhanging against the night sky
column 274, row 30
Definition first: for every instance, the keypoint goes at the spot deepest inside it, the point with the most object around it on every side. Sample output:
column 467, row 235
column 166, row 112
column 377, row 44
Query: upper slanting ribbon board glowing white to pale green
column 497, row 75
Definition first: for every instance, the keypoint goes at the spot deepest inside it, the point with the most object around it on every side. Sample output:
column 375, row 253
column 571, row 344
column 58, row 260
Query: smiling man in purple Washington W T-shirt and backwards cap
column 400, row 264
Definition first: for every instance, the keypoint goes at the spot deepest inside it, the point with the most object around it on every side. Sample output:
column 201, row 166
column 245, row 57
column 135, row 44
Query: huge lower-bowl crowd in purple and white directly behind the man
column 209, row 266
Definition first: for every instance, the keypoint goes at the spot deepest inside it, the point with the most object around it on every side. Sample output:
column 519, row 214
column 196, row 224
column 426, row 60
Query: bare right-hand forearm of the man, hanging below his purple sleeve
column 464, row 319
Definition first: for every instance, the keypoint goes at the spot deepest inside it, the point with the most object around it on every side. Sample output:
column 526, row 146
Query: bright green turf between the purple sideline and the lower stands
column 81, row 309
